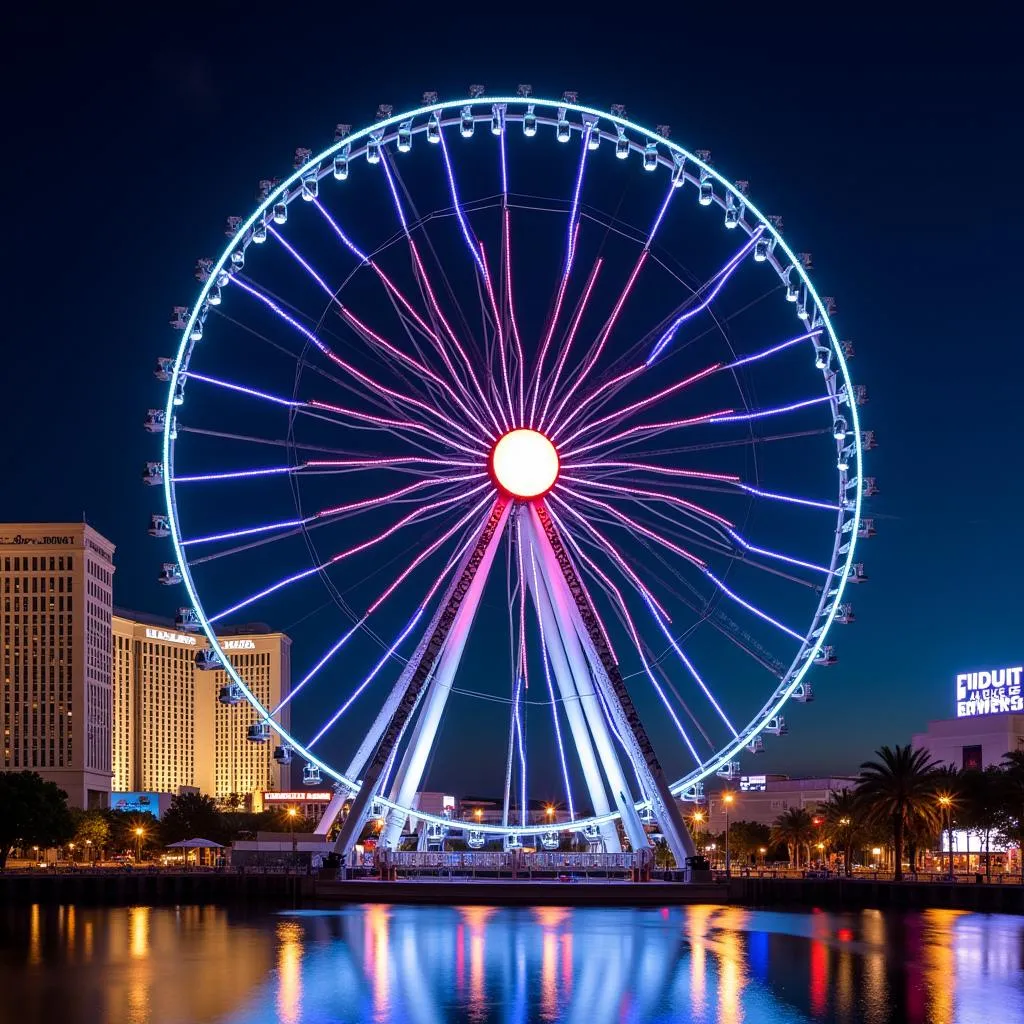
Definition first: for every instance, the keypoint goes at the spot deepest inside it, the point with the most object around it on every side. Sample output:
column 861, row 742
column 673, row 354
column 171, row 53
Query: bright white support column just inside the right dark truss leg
column 565, row 634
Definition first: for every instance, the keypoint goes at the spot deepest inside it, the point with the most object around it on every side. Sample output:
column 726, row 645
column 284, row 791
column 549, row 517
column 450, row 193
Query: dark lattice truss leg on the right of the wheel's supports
column 561, row 571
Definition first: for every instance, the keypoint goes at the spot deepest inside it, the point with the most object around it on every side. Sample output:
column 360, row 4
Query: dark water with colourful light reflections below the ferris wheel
column 436, row 965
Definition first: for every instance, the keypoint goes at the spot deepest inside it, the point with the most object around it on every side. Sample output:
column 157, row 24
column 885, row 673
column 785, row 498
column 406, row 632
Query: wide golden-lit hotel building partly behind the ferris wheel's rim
column 170, row 731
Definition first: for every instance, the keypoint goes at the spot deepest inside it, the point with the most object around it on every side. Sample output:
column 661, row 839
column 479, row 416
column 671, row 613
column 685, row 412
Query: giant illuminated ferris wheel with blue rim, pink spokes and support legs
column 535, row 434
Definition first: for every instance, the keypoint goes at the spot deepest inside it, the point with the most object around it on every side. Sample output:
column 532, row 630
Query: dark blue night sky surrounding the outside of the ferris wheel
column 131, row 142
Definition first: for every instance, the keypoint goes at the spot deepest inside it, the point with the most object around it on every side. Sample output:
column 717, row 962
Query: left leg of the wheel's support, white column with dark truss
column 444, row 649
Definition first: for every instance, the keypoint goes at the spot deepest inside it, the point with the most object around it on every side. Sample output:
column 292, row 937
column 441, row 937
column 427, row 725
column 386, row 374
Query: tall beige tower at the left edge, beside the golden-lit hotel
column 56, row 648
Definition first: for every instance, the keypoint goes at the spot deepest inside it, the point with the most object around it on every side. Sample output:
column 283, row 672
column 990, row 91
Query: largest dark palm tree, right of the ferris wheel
column 900, row 788
